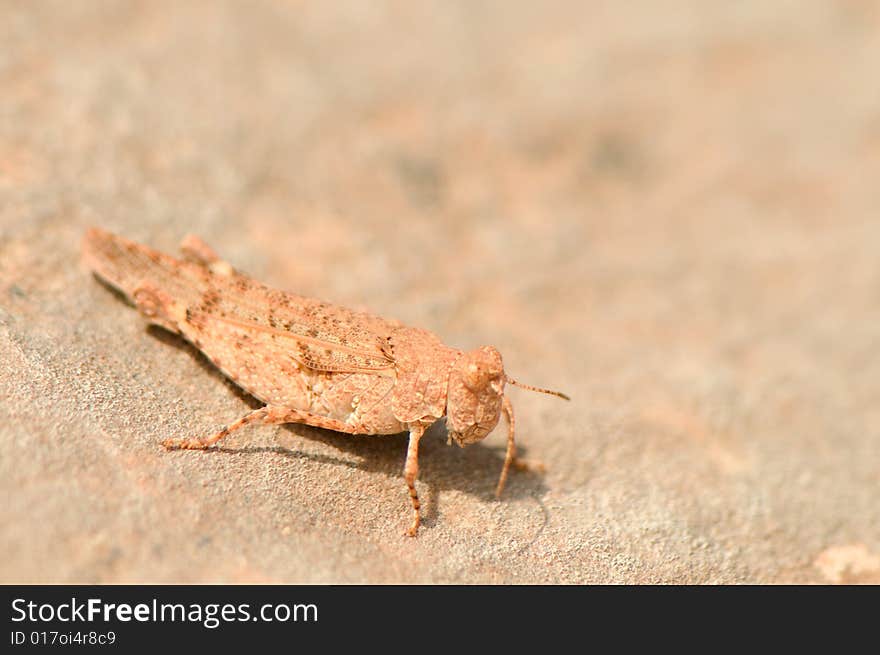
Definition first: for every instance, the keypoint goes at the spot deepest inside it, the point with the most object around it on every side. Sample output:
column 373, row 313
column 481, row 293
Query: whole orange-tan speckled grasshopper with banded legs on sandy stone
column 309, row 361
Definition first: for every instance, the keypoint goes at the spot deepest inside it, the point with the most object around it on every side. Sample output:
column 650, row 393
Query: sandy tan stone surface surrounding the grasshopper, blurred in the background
column 667, row 210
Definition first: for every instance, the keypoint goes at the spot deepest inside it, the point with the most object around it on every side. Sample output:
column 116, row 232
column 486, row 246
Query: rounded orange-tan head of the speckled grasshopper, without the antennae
column 474, row 395
